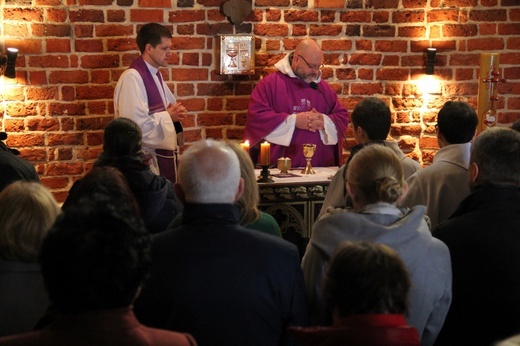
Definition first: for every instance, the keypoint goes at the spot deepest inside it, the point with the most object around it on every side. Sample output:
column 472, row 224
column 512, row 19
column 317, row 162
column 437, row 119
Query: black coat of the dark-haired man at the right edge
column 483, row 237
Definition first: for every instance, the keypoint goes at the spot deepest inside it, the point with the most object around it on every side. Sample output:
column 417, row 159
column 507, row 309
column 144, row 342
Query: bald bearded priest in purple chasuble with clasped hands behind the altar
column 294, row 106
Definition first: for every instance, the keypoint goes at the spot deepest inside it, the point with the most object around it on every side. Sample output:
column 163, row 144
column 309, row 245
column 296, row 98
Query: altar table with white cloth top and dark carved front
column 295, row 201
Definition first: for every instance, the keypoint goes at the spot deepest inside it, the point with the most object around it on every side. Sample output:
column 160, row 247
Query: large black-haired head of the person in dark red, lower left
column 95, row 256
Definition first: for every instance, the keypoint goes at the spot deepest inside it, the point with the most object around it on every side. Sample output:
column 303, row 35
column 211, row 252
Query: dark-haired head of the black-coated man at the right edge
column 496, row 156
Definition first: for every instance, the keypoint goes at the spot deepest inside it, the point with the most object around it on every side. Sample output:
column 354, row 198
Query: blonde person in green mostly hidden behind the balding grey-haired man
column 250, row 216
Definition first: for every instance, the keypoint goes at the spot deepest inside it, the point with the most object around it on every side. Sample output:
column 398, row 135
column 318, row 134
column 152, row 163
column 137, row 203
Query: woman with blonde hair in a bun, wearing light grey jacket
column 375, row 182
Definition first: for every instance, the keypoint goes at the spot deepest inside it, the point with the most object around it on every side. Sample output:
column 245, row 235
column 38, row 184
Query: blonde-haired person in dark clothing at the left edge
column 27, row 212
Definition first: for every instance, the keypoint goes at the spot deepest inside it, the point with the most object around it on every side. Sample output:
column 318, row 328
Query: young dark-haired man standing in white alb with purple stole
column 142, row 96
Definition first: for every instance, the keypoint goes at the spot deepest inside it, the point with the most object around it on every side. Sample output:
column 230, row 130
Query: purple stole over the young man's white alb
column 165, row 158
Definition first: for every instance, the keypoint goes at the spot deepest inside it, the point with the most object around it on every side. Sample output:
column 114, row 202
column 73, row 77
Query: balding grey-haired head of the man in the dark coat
column 209, row 172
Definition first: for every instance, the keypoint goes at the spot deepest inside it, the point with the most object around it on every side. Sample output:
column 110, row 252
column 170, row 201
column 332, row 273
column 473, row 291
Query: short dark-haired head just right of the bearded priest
column 374, row 117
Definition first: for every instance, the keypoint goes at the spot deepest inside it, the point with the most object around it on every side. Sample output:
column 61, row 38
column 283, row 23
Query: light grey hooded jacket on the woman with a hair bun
column 405, row 231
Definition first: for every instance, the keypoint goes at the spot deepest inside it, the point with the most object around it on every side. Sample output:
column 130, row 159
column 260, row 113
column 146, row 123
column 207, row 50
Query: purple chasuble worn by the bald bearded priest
column 276, row 97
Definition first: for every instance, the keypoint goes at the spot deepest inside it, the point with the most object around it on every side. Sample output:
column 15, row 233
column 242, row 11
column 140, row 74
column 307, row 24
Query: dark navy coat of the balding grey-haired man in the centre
column 222, row 283
